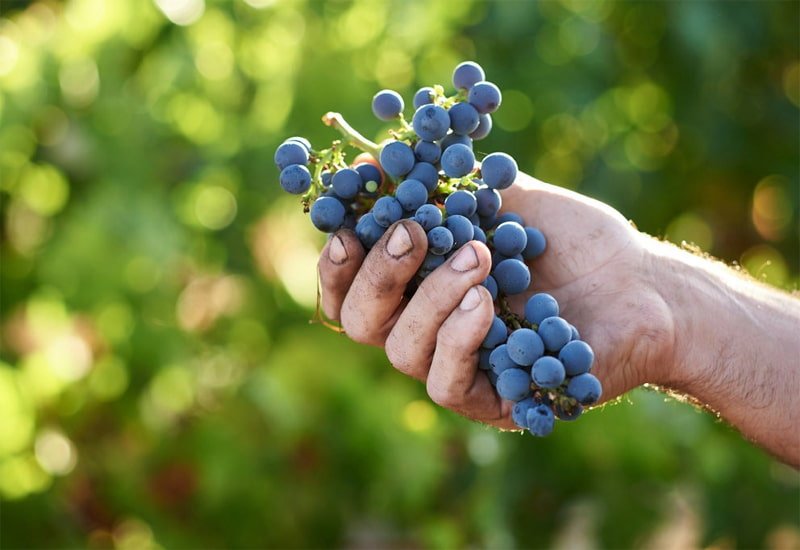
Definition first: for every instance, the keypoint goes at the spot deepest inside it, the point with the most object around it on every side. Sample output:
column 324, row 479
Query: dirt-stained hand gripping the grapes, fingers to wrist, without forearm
column 595, row 265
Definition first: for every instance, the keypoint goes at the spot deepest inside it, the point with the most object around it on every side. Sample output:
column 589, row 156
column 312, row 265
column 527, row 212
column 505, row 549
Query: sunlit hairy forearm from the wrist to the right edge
column 736, row 348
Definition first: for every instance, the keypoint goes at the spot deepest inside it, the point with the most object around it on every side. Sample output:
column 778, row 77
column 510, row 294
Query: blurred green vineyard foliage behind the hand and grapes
column 160, row 383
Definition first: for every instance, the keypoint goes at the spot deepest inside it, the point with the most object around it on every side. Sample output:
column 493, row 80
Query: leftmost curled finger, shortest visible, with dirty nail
column 338, row 265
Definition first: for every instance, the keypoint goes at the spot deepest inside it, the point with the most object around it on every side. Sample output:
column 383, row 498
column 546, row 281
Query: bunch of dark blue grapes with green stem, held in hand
column 428, row 173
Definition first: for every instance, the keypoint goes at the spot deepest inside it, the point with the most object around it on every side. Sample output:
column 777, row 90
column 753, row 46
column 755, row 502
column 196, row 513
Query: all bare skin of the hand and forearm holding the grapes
column 652, row 313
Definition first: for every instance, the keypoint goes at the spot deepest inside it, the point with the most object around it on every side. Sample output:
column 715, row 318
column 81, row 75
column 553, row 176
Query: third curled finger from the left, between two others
column 411, row 343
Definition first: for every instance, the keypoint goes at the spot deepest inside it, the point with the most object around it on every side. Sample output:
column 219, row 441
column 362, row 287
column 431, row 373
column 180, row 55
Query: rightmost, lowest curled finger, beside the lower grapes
column 454, row 380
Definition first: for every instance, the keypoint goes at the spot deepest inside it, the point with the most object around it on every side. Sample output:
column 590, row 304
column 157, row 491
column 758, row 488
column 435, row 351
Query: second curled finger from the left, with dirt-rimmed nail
column 373, row 302
